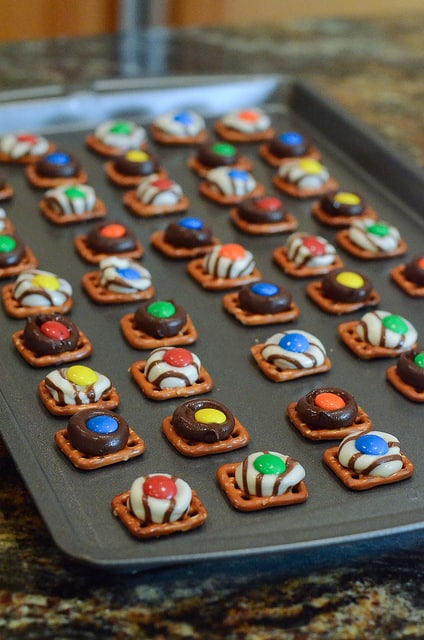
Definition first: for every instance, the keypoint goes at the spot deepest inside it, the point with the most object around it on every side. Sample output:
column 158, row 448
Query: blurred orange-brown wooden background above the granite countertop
column 34, row 19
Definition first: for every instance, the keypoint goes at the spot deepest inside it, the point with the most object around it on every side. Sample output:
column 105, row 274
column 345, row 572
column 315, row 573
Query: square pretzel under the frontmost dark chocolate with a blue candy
column 135, row 447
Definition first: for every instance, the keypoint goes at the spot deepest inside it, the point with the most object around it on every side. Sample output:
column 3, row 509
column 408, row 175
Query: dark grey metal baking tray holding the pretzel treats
column 75, row 504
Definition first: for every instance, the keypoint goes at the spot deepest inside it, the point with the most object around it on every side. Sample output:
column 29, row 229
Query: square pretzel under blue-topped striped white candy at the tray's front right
column 352, row 480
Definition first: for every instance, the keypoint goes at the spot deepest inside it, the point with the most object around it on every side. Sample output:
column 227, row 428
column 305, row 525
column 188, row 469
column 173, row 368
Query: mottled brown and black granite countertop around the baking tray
column 374, row 69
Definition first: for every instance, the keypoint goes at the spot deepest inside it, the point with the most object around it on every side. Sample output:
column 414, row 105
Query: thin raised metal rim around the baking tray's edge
column 304, row 93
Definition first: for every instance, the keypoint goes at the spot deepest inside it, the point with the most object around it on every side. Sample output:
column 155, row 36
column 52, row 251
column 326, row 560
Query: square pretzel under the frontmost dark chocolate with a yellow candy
column 239, row 438
